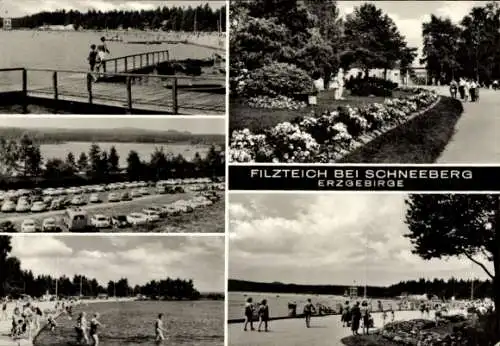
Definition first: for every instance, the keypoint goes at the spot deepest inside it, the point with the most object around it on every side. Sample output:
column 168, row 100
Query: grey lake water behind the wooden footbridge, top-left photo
column 69, row 50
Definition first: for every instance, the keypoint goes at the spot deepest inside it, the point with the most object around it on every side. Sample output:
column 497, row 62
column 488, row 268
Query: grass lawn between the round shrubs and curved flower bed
column 257, row 120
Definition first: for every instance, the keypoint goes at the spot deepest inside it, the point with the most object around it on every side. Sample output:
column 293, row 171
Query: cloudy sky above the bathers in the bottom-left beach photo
column 137, row 258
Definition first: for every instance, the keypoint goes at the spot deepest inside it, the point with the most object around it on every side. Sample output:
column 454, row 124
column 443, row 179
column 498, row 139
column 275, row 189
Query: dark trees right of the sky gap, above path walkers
column 470, row 48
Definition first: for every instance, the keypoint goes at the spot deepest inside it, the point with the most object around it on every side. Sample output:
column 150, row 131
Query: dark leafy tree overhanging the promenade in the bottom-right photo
column 442, row 226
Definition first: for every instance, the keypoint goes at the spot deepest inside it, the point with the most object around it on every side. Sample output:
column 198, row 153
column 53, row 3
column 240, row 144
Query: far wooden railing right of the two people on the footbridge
column 138, row 61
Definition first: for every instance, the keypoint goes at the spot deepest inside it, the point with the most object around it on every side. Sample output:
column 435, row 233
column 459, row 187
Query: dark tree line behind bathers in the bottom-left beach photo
column 15, row 281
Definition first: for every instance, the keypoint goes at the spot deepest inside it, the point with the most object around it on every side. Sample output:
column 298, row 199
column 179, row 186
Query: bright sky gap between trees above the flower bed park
column 409, row 15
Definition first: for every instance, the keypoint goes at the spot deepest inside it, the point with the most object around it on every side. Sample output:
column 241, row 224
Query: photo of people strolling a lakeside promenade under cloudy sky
column 361, row 268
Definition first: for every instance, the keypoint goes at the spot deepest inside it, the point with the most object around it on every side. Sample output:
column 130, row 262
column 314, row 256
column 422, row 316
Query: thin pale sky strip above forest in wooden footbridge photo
column 18, row 8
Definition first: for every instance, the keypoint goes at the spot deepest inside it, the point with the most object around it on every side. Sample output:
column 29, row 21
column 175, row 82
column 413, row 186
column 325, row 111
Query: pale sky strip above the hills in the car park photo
column 193, row 125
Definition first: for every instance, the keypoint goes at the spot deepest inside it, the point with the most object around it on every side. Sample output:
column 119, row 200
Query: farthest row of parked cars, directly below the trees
column 75, row 190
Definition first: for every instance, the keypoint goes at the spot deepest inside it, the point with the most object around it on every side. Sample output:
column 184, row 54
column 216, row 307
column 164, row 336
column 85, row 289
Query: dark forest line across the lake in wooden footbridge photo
column 200, row 18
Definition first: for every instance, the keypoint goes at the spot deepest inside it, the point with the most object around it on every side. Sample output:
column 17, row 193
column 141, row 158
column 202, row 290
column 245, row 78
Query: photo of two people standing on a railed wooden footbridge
column 113, row 57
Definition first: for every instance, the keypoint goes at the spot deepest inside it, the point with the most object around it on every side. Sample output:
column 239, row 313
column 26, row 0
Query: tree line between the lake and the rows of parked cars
column 23, row 157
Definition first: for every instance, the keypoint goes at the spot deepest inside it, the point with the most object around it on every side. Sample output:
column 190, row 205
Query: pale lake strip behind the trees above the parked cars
column 144, row 150
